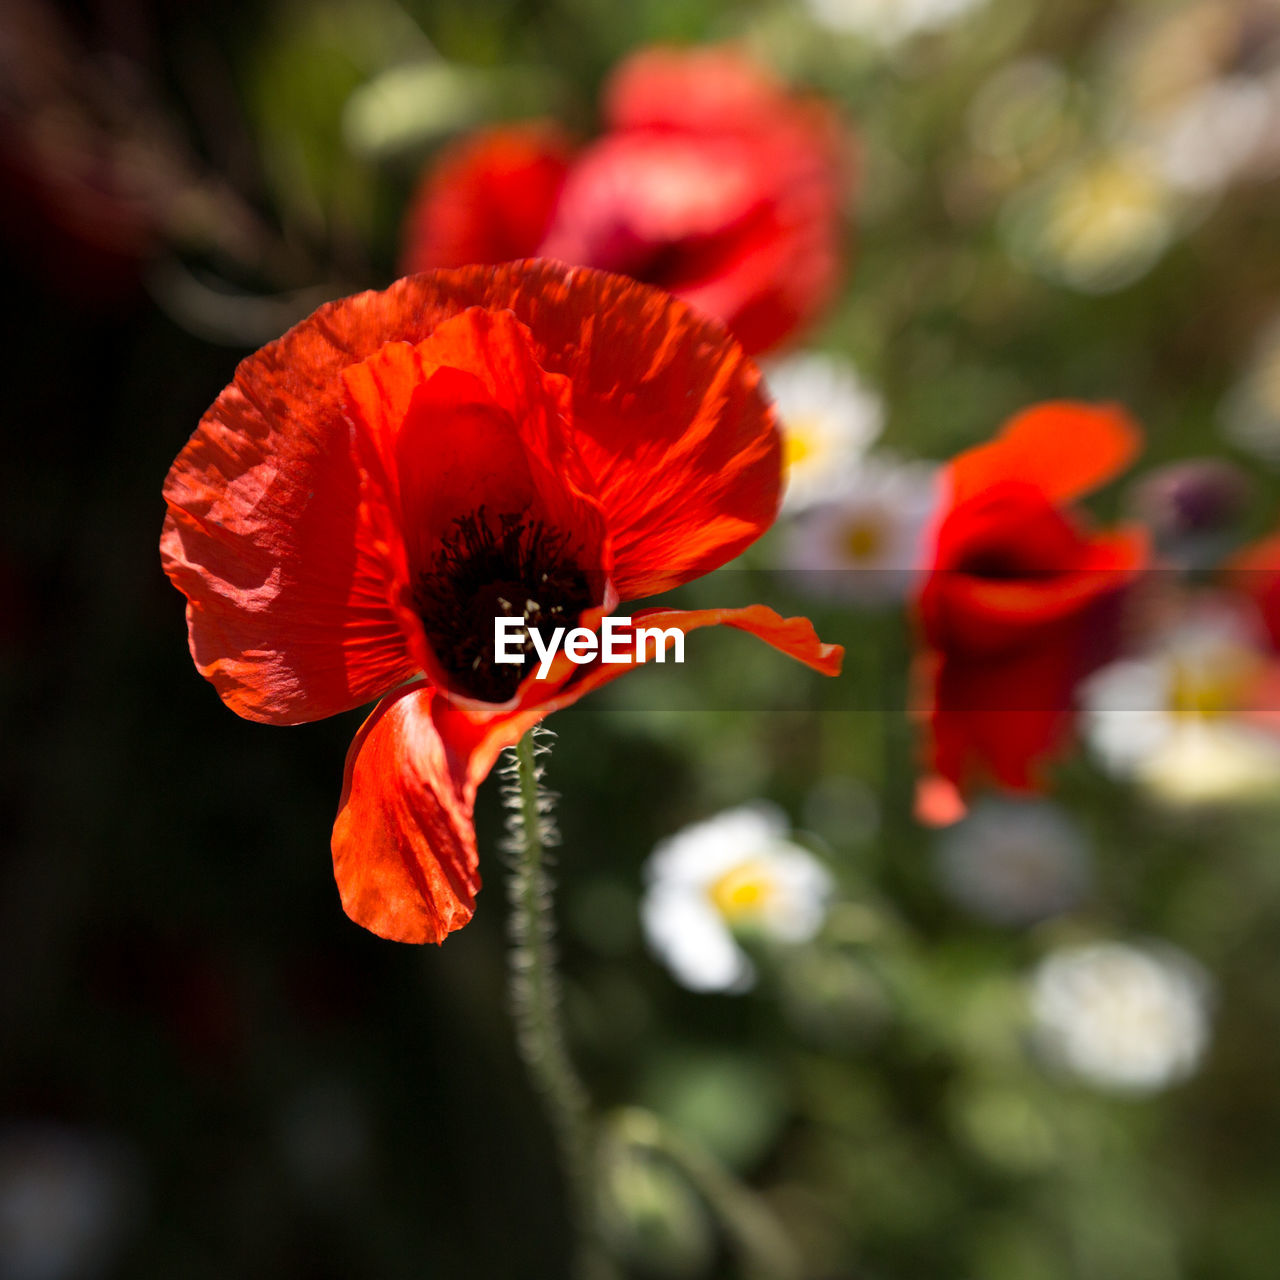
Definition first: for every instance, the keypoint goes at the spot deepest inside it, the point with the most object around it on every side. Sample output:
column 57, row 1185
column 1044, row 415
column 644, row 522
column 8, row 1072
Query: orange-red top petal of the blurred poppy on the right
column 1063, row 447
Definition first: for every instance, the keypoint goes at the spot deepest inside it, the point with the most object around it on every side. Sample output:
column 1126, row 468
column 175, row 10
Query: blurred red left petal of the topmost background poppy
column 487, row 199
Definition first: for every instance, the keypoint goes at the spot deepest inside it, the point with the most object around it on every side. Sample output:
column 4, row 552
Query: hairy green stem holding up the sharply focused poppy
column 536, row 995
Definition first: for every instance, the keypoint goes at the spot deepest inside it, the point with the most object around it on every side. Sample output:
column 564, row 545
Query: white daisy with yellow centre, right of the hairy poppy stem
column 734, row 874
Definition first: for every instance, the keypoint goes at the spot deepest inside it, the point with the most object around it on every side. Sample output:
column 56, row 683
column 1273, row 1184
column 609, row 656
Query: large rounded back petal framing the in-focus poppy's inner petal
column 289, row 584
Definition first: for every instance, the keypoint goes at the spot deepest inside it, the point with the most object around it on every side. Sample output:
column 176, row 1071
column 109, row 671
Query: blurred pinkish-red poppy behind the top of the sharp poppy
column 711, row 182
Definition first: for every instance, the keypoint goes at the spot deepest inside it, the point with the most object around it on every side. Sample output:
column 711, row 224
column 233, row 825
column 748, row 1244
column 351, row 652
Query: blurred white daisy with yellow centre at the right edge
column 1174, row 719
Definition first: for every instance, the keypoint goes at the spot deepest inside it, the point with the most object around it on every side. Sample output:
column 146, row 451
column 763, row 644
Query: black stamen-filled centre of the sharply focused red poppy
column 513, row 568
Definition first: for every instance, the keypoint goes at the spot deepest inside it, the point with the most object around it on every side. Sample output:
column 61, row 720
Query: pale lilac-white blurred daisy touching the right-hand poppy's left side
column 870, row 543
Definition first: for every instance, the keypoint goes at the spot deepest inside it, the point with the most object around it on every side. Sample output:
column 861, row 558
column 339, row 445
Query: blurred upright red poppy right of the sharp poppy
column 1013, row 612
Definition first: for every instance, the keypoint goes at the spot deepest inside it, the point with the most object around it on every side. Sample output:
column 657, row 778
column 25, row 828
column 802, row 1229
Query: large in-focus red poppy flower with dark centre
column 403, row 468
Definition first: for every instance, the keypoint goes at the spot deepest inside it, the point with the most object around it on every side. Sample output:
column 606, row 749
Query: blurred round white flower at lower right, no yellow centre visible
column 1124, row 1018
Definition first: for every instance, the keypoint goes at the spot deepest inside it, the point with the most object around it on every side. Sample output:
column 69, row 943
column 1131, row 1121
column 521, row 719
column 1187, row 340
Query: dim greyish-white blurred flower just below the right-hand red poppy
column 1014, row 862
